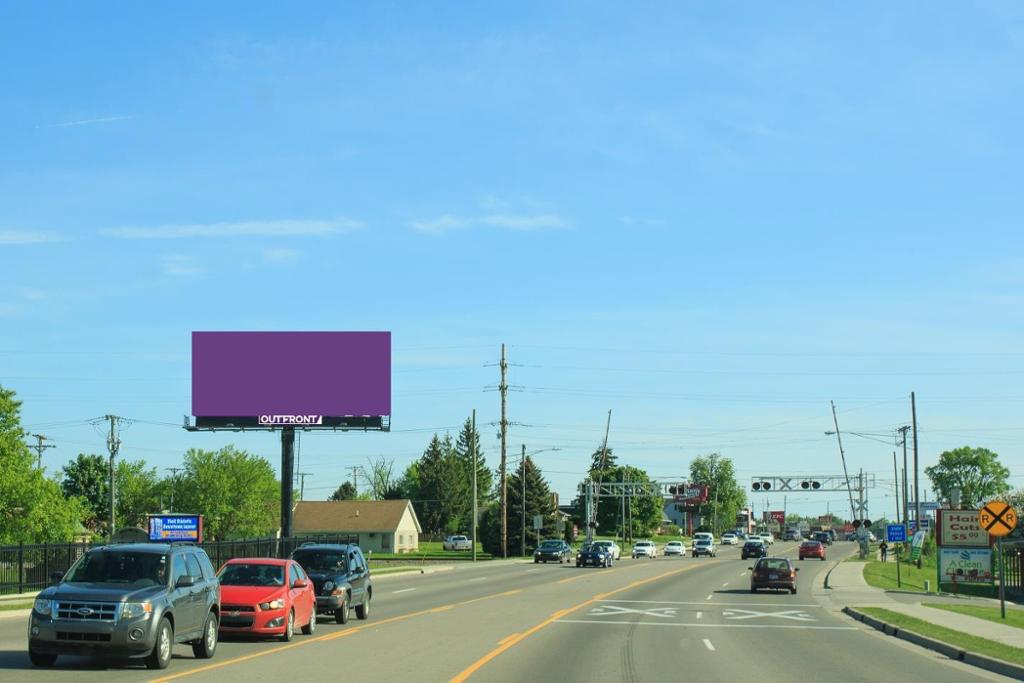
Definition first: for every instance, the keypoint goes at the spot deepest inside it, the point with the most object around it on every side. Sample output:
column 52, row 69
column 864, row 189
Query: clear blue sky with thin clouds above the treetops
column 710, row 220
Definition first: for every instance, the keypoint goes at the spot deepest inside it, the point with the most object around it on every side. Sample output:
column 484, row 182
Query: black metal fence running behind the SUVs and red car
column 28, row 568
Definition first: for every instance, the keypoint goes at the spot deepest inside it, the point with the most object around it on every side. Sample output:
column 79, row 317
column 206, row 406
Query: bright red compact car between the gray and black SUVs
column 266, row 597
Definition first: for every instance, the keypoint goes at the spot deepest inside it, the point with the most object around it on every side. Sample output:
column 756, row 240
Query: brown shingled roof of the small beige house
column 380, row 517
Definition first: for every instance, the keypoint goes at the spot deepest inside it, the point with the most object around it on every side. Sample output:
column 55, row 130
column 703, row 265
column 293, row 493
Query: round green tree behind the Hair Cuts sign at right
column 976, row 473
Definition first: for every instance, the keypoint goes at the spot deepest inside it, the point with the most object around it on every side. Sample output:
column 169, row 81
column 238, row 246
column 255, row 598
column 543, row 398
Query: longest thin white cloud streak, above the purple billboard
column 275, row 229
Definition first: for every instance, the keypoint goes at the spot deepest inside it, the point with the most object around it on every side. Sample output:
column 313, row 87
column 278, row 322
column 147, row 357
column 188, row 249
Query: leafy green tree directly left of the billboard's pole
column 236, row 492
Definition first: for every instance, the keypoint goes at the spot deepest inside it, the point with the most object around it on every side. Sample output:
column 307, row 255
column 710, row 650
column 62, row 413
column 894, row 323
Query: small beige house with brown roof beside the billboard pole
column 383, row 527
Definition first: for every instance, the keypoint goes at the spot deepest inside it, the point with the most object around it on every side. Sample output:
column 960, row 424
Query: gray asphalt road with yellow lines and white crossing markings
column 643, row 620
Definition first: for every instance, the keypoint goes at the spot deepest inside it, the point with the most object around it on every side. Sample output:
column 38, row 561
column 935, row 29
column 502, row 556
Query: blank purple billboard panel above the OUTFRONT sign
column 291, row 378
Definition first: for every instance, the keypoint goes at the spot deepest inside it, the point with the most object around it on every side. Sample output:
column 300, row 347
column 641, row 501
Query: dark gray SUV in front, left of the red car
column 134, row 601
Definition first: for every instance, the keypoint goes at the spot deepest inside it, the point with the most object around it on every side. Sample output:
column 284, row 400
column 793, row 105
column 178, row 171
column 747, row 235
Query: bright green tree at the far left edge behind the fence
column 33, row 509
